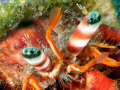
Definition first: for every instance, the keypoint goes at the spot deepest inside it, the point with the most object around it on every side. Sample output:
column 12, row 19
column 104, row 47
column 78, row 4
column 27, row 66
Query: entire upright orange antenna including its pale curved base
column 54, row 17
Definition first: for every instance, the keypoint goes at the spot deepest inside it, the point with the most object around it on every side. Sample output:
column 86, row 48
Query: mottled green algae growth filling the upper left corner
column 13, row 12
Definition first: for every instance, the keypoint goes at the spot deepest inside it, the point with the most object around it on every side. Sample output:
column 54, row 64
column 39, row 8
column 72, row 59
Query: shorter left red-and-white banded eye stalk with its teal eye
column 35, row 57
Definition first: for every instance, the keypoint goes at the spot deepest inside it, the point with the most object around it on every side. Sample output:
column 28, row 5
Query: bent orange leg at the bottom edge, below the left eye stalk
column 32, row 81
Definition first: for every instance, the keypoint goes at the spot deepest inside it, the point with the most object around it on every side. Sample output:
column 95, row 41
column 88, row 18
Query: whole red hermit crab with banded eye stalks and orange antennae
column 36, row 63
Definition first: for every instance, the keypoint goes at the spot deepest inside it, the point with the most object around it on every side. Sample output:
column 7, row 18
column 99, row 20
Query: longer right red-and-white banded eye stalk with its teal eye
column 83, row 33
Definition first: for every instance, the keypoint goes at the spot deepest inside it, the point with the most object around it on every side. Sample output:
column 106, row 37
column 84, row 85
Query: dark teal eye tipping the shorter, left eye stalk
column 31, row 52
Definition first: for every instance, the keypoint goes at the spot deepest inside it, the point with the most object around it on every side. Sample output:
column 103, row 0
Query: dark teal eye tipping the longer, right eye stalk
column 94, row 19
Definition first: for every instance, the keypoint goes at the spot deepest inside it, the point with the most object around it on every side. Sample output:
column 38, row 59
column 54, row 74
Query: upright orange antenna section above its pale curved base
column 54, row 17
